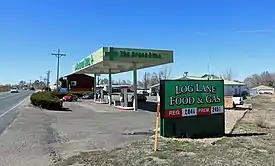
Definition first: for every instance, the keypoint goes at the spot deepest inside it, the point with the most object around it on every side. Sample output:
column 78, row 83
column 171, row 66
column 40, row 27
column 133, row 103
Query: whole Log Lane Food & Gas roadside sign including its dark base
column 192, row 107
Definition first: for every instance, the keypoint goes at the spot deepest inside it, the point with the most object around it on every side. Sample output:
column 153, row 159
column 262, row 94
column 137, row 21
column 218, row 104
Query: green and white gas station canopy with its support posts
column 111, row 60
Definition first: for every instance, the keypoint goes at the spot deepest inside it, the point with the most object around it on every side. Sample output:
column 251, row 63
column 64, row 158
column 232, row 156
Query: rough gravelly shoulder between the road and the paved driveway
column 24, row 142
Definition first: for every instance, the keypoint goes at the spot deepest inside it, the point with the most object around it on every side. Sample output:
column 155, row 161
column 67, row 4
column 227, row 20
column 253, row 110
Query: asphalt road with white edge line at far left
column 8, row 106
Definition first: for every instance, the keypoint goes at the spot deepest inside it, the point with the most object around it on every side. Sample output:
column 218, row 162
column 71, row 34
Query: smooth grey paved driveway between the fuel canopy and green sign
column 95, row 126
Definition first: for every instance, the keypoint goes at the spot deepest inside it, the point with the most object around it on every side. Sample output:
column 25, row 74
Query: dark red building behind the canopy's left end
column 77, row 82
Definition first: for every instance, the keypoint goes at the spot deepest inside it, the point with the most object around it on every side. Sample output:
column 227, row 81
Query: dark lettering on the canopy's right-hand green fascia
column 133, row 54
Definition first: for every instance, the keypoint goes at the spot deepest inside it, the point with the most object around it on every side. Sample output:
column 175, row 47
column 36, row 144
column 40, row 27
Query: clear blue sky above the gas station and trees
column 235, row 34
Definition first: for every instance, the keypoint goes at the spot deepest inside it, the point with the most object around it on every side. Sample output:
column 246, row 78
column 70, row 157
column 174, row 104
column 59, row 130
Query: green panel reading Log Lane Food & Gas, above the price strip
column 181, row 94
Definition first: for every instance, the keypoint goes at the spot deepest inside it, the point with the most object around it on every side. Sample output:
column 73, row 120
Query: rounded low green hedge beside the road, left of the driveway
column 46, row 100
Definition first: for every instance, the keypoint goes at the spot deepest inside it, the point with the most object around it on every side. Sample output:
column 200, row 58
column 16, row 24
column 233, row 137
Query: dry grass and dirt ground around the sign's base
column 252, row 142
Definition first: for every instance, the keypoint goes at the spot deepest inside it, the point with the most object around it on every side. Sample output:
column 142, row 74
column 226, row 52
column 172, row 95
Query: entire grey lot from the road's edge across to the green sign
column 39, row 137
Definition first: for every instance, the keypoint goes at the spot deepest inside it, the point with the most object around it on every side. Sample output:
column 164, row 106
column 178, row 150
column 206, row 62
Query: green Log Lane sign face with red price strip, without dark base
column 192, row 98
